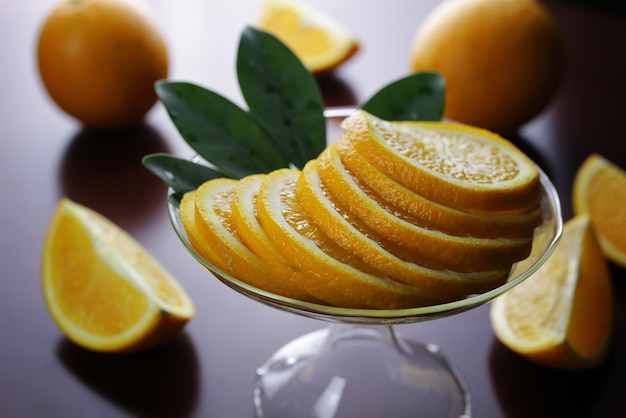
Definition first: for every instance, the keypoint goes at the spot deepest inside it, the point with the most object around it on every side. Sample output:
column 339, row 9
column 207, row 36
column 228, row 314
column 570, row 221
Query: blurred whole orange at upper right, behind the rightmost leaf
column 502, row 60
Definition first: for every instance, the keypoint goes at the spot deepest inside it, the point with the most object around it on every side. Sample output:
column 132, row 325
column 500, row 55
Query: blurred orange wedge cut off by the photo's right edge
column 600, row 192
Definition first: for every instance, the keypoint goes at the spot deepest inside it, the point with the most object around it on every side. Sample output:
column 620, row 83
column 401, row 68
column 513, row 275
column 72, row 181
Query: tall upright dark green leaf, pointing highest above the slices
column 282, row 96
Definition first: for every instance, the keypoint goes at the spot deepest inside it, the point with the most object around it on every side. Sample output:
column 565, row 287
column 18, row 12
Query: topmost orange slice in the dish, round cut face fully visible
column 462, row 167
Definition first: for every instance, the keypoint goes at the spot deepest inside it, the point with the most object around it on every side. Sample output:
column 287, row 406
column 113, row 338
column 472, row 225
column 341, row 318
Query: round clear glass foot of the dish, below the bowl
column 359, row 371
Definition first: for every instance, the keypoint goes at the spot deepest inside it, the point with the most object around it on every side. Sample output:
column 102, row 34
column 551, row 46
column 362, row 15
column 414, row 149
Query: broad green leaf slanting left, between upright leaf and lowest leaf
column 219, row 131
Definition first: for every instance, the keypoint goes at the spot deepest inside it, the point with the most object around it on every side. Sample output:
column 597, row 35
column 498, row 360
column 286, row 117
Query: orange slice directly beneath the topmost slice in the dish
column 427, row 213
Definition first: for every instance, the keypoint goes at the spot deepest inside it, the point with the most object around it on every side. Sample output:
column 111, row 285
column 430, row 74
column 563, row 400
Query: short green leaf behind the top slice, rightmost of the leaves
column 420, row 96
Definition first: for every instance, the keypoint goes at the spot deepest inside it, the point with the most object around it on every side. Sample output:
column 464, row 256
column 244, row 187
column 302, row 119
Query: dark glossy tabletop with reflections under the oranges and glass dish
column 208, row 370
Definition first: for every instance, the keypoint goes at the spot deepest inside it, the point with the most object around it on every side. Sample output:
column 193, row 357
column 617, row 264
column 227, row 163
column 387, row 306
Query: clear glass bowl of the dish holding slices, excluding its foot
column 545, row 239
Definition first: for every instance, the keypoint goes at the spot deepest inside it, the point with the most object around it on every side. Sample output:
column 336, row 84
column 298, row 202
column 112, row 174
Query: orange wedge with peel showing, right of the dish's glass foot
column 561, row 316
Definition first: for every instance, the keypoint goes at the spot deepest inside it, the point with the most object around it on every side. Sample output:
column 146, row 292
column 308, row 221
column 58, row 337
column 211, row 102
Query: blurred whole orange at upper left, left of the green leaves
column 99, row 59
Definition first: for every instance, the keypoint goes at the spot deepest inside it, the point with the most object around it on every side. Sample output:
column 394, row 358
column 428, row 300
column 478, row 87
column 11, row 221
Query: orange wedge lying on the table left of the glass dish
column 103, row 289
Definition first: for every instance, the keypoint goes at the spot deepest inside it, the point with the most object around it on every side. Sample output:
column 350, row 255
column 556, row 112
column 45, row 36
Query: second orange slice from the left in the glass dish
column 213, row 220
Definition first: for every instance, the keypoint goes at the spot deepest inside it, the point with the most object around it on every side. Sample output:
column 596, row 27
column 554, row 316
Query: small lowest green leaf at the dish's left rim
column 181, row 175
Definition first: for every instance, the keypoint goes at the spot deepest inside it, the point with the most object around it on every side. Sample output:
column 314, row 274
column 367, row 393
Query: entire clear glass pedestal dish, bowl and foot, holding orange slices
column 358, row 366
